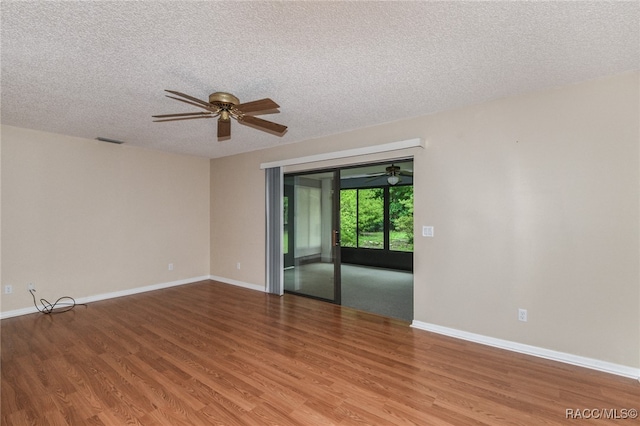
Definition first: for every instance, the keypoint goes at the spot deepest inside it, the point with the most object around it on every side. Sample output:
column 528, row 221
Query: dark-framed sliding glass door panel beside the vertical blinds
column 312, row 259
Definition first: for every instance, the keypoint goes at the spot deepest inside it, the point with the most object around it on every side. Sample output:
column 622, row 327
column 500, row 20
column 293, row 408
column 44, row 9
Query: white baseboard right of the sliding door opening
column 594, row 364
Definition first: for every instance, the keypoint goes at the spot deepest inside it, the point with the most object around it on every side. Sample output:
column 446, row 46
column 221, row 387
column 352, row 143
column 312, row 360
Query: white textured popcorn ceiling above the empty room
column 96, row 68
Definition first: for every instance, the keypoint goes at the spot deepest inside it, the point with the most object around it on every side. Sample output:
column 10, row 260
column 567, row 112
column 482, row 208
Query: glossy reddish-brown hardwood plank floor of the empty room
column 210, row 353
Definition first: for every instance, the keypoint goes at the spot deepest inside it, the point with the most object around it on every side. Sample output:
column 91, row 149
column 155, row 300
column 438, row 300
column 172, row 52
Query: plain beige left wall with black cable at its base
column 83, row 218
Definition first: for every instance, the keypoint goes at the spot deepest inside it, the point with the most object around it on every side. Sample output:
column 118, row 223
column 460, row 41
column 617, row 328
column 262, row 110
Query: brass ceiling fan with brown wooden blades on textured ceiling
column 225, row 106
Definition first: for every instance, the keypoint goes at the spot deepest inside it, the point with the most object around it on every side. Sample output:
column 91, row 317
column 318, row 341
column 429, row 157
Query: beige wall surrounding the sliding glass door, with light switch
column 535, row 205
